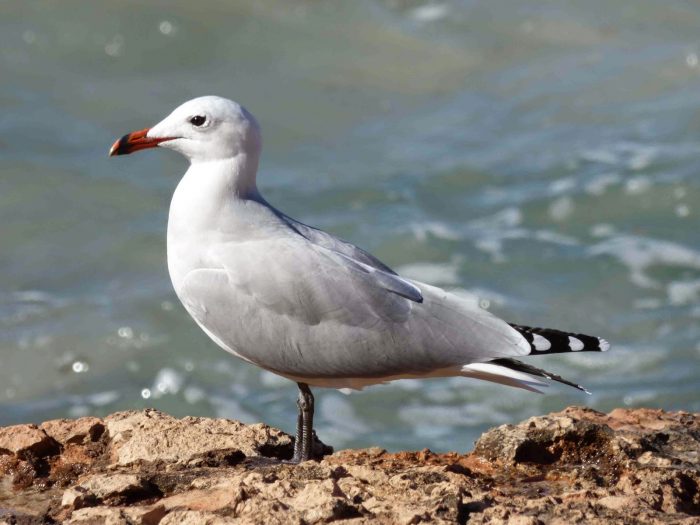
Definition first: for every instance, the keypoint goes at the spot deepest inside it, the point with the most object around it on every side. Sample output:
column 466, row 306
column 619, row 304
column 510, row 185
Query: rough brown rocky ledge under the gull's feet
column 575, row 466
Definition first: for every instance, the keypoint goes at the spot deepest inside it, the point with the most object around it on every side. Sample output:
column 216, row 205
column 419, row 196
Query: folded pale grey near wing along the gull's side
column 303, row 310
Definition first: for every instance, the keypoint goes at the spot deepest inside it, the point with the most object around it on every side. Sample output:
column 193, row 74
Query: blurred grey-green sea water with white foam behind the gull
column 543, row 155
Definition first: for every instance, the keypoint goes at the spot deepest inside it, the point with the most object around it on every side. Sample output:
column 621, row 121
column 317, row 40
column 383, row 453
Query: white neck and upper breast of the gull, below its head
column 211, row 205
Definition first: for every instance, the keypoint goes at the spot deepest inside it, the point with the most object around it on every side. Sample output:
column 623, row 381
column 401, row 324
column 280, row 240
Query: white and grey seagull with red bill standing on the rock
column 304, row 304
